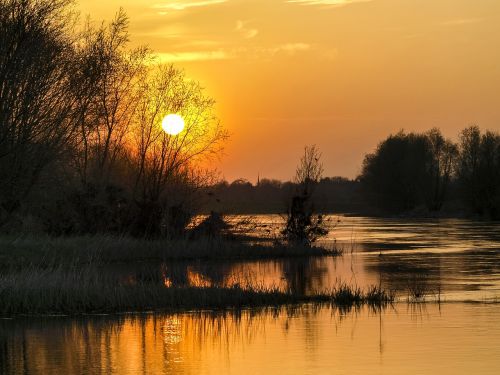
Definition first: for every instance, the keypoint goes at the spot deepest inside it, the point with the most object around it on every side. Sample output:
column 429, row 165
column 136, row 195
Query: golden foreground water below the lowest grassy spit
column 415, row 338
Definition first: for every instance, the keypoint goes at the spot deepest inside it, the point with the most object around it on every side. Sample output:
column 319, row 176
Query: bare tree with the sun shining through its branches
column 164, row 165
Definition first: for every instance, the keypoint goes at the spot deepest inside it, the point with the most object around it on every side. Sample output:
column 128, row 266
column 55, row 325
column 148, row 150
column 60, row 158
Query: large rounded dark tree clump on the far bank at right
column 408, row 171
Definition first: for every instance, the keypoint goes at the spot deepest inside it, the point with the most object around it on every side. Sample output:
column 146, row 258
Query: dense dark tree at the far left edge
column 39, row 95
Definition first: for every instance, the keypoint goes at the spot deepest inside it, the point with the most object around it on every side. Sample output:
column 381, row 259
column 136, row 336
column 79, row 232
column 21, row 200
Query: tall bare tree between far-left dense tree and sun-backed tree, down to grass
column 100, row 144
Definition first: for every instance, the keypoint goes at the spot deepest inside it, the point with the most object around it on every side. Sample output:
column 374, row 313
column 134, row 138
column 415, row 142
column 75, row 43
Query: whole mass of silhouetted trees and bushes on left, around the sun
column 81, row 145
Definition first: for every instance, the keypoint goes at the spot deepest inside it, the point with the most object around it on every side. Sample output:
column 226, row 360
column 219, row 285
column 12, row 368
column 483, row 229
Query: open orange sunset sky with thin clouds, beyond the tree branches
column 340, row 74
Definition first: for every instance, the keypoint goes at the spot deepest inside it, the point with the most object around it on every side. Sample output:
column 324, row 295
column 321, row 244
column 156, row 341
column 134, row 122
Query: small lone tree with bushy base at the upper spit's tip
column 303, row 225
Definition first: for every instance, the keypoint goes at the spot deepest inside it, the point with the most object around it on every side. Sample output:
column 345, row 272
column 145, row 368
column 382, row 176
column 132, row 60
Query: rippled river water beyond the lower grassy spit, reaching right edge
column 456, row 260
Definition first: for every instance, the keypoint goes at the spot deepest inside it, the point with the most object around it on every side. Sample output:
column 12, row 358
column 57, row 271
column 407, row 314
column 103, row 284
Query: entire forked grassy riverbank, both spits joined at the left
column 75, row 276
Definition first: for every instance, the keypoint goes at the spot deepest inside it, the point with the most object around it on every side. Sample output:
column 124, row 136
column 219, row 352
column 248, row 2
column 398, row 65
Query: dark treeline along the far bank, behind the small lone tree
column 408, row 173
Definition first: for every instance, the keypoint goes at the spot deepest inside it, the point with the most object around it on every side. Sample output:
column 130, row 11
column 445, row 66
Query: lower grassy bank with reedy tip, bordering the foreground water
column 89, row 290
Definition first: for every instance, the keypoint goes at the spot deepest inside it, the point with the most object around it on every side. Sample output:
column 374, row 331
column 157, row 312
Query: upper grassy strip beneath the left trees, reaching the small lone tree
column 21, row 251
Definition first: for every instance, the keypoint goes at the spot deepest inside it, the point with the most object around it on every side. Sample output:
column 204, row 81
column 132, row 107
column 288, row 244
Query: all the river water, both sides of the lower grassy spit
column 455, row 261
